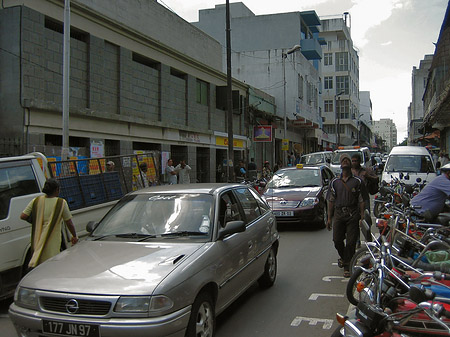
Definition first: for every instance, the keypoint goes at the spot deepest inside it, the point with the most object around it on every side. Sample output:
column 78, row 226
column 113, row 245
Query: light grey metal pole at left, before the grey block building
column 66, row 82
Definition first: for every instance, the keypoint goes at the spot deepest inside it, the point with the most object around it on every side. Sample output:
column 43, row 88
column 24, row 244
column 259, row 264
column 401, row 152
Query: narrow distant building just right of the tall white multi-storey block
column 364, row 120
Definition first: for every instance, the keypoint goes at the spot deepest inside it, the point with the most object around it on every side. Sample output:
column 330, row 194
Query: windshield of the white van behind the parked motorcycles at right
column 409, row 163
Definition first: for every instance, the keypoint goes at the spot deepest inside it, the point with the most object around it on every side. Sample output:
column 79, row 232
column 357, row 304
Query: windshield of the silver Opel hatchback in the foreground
column 157, row 215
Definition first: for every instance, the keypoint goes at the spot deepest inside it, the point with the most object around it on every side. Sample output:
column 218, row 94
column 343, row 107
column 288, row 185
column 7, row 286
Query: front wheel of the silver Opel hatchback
column 203, row 317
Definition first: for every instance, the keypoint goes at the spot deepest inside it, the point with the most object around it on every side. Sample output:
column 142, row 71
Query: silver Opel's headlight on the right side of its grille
column 142, row 304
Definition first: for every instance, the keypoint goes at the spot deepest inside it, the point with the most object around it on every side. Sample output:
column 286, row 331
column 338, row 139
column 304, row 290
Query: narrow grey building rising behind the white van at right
column 415, row 110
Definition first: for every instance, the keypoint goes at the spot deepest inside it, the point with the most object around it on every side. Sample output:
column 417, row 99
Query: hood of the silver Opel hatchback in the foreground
column 113, row 268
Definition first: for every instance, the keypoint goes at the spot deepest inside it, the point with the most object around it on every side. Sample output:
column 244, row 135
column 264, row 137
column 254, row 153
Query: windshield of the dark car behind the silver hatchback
column 295, row 178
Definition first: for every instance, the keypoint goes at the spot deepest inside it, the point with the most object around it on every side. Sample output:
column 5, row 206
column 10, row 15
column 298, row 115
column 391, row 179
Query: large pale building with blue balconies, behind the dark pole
column 279, row 54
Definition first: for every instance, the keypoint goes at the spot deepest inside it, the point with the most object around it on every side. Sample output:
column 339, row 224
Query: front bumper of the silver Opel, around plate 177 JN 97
column 30, row 323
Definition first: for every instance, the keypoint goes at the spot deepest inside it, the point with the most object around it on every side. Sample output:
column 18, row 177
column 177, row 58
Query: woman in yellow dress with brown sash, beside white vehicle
column 47, row 213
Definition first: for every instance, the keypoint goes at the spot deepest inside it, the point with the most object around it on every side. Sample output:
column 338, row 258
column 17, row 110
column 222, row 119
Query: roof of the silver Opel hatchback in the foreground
column 201, row 188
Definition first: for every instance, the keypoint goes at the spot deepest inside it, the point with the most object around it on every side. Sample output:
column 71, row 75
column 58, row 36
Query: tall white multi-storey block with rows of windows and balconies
column 340, row 74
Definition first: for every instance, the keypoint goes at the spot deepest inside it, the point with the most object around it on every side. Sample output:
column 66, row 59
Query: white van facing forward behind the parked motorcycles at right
column 408, row 163
